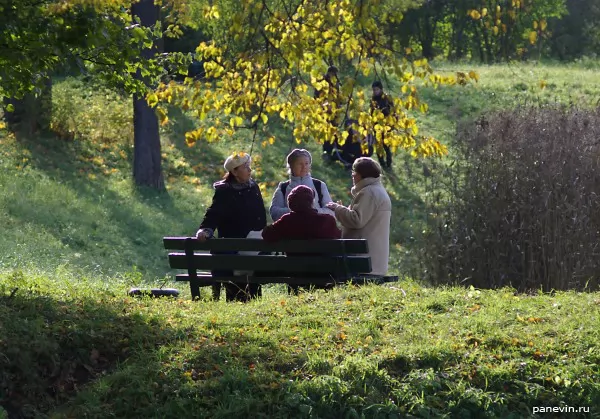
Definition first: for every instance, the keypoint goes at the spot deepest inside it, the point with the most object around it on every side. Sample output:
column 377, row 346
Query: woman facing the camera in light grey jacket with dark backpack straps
column 299, row 163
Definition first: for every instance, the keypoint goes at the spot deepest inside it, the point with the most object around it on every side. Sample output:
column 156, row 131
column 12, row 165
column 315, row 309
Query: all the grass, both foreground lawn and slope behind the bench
column 74, row 229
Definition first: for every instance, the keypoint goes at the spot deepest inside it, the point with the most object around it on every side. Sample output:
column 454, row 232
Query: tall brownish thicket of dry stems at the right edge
column 524, row 203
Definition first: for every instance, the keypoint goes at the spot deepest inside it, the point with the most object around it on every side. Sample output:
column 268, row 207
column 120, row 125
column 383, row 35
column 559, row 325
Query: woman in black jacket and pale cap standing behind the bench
column 236, row 210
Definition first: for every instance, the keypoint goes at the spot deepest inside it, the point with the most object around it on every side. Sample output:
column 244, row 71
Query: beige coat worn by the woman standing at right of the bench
column 368, row 217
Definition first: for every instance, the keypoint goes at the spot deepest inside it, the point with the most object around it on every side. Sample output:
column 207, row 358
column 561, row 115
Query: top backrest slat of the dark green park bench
column 333, row 247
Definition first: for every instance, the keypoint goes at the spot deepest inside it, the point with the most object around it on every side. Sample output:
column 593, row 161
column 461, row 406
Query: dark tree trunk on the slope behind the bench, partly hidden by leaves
column 147, row 169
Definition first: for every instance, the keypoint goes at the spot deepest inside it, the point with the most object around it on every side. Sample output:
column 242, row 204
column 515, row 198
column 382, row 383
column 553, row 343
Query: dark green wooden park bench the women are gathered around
column 319, row 262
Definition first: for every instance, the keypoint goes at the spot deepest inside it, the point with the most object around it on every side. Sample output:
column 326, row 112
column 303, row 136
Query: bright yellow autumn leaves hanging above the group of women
column 274, row 85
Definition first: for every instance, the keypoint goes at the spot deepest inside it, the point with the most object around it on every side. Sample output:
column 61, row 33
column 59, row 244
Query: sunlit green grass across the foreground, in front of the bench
column 81, row 349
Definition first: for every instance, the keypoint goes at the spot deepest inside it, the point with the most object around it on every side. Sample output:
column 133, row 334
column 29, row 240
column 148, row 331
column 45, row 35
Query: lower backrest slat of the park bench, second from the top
column 336, row 265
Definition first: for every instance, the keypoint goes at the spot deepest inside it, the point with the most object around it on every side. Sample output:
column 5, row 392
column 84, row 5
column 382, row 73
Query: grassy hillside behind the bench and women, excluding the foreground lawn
column 80, row 212
